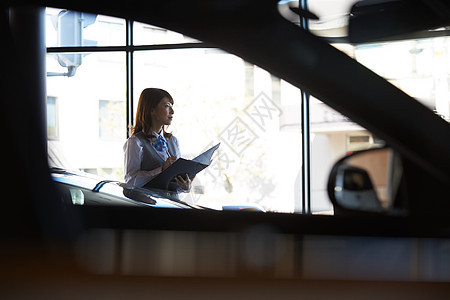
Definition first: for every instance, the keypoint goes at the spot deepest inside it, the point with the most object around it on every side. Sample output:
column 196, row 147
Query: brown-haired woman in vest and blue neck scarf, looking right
column 150, row 149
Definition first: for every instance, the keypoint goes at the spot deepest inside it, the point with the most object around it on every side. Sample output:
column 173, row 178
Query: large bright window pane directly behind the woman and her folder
column 254, row 115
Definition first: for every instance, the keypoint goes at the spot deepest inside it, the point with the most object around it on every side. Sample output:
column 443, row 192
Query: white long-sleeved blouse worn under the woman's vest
column 133, row 154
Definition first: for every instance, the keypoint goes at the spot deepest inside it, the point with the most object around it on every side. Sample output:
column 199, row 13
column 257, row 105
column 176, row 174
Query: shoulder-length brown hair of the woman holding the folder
column 149, row 99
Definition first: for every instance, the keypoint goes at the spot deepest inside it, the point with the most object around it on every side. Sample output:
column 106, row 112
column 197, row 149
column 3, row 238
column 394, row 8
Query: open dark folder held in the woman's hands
column 182, row 166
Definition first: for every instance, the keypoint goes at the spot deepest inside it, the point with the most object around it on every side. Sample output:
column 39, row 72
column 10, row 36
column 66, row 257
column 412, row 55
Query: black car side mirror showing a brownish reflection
column 365, row 182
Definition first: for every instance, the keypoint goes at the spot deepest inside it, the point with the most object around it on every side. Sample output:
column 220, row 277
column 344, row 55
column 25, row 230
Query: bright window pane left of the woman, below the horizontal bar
column 91, row 130
